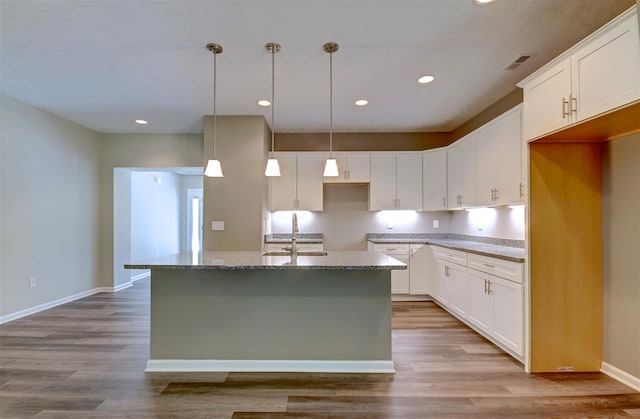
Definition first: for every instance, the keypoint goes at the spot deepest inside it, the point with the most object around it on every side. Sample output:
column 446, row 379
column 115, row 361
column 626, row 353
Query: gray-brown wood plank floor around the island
column 86, row 359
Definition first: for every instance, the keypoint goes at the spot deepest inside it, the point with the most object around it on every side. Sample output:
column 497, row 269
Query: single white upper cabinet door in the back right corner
column 434, row 180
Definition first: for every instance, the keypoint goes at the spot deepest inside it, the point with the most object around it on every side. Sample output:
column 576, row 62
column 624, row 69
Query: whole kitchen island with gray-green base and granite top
column 244, row 311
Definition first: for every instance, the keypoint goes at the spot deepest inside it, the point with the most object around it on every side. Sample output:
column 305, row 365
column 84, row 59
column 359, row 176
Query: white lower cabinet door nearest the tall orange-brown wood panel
column 508, row 313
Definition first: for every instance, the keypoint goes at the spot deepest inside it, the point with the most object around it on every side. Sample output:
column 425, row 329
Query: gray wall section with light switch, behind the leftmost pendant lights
column 239, row 198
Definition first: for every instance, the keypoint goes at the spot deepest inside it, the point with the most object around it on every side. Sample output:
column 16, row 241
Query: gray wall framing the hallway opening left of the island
column 135, row 150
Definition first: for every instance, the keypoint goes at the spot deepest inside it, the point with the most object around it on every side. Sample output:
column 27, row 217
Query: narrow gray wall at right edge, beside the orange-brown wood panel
column 621, row 228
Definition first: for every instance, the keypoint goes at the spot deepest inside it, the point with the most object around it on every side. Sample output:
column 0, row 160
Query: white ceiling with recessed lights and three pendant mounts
column 103, row 64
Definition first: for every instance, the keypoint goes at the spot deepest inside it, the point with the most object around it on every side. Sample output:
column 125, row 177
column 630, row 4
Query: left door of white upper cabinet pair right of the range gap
column 382, row 190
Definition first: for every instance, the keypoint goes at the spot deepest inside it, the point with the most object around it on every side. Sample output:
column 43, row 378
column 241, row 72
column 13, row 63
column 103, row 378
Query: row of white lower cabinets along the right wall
column 485, row 292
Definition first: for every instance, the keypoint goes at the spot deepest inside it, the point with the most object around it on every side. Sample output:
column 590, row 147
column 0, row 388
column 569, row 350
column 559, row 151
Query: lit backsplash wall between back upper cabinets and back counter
column 346, row 219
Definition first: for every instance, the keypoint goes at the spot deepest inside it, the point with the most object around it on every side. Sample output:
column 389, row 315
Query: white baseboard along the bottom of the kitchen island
column 242, row 365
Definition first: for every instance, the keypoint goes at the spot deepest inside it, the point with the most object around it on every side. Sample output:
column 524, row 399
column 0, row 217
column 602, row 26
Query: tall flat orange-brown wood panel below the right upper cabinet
column 566, row 256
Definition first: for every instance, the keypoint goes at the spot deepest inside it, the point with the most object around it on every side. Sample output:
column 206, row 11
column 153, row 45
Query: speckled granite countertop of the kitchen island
column 248, row 260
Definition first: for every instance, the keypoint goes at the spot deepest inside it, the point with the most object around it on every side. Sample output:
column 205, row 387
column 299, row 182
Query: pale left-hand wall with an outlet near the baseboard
column 50, row 207
